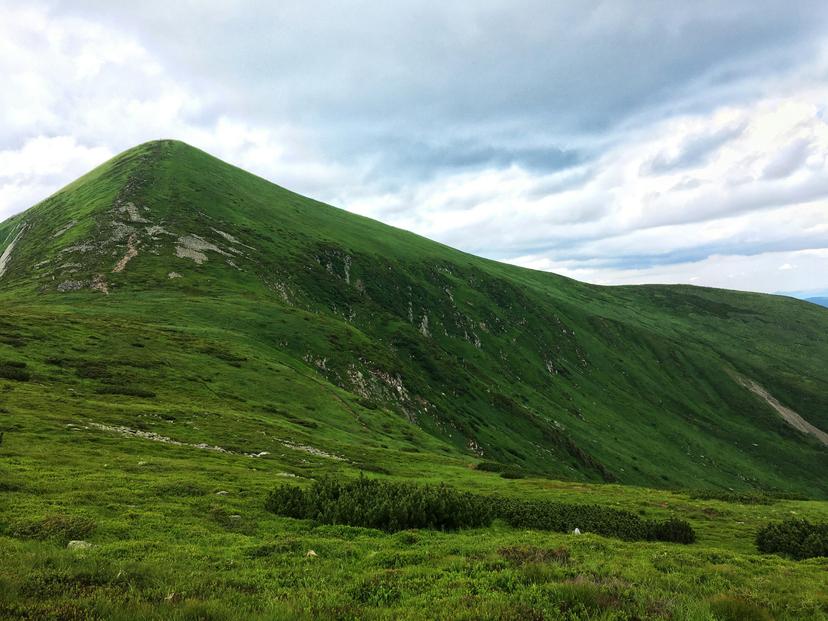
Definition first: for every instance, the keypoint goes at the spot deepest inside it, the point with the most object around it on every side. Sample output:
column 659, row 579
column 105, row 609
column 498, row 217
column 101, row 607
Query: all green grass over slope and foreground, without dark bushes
column 153, row 421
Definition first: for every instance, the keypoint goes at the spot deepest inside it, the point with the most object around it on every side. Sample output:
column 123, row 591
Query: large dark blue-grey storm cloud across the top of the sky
column 363, row 71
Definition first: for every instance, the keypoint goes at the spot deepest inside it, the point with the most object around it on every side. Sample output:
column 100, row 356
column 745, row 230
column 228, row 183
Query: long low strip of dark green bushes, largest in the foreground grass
column 393, row 506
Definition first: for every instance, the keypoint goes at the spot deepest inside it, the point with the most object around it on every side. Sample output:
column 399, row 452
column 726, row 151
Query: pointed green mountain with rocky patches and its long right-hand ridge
column 167, row 294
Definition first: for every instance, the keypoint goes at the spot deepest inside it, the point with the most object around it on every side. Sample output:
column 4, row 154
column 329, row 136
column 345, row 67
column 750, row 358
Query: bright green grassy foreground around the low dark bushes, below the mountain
column 168, row 542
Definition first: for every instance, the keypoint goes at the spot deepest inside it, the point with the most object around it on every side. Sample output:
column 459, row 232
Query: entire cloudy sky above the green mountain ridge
column 615, row 142
